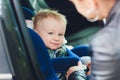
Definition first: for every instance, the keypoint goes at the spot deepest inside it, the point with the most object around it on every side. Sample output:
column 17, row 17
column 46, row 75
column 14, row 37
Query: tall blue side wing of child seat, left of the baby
column 42, row 56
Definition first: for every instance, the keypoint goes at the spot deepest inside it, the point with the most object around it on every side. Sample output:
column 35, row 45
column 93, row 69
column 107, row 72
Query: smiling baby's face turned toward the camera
column 52, row 32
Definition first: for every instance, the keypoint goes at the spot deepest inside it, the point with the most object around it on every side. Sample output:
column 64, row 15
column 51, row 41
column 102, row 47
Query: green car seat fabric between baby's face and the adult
column 83, row 37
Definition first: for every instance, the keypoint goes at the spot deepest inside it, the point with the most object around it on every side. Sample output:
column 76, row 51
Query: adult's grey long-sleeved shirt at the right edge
column 106, row 48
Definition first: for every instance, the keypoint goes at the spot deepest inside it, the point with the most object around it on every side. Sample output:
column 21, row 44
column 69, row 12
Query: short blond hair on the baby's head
column 42, row 14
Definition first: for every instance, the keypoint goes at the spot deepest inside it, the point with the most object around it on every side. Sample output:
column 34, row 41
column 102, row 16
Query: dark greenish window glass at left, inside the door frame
column 16, row 45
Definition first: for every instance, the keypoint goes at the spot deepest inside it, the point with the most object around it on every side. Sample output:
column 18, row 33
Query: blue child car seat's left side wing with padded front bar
column 47, row 65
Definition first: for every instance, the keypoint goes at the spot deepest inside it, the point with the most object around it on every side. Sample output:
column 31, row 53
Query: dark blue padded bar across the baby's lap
column 63, row 64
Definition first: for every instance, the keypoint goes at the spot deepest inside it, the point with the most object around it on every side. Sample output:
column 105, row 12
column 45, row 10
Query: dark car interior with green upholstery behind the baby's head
column 79, row 30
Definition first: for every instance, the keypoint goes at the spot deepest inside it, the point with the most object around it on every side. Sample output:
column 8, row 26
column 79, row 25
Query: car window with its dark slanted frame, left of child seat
column 14, row 41
